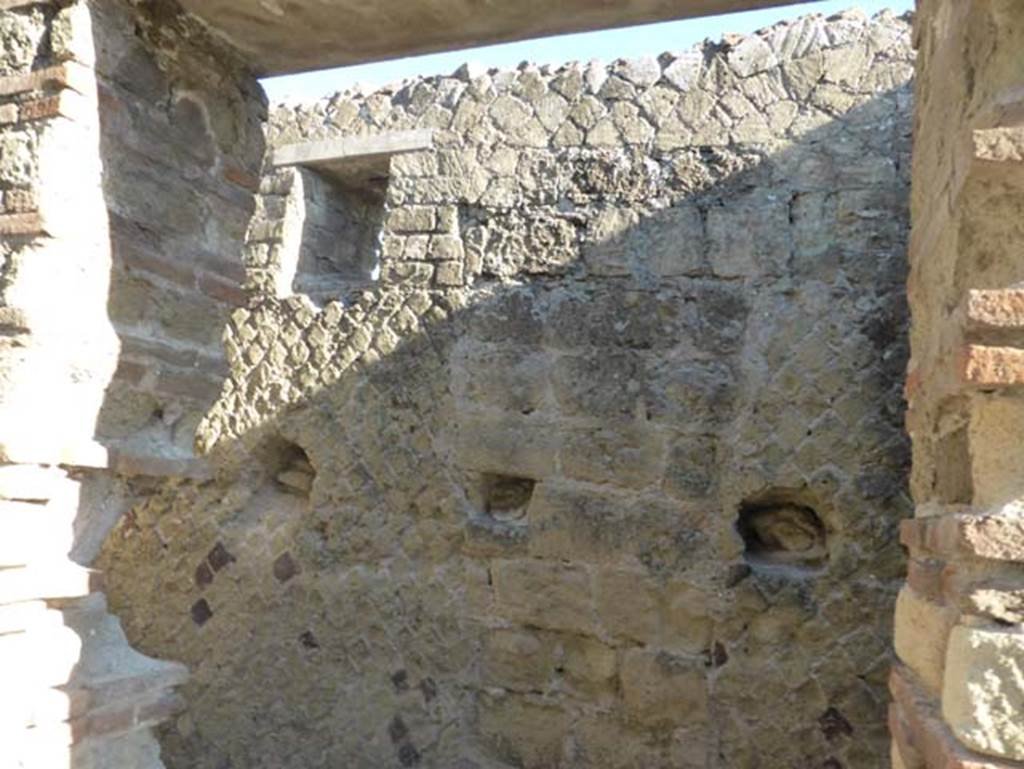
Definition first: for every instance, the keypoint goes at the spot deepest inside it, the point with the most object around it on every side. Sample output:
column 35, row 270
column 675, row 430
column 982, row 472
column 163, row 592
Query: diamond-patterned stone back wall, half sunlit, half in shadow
column 605, row 471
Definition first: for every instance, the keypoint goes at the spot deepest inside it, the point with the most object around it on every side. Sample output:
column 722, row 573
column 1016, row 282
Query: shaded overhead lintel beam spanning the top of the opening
column 288, row 36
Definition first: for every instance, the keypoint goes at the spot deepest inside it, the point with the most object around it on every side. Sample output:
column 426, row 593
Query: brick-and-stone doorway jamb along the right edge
column 959, row 689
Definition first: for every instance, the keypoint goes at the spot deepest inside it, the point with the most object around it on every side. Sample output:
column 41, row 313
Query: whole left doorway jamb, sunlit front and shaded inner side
column 110, row 179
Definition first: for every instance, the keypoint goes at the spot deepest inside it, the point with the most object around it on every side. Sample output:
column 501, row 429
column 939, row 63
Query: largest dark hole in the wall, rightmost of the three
column 784, row 533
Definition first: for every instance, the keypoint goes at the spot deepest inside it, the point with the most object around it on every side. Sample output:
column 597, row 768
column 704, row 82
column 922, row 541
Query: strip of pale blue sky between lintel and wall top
column 610, row 46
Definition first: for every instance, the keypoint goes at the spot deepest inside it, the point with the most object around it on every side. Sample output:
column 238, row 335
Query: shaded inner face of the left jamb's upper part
column 182, row 144
